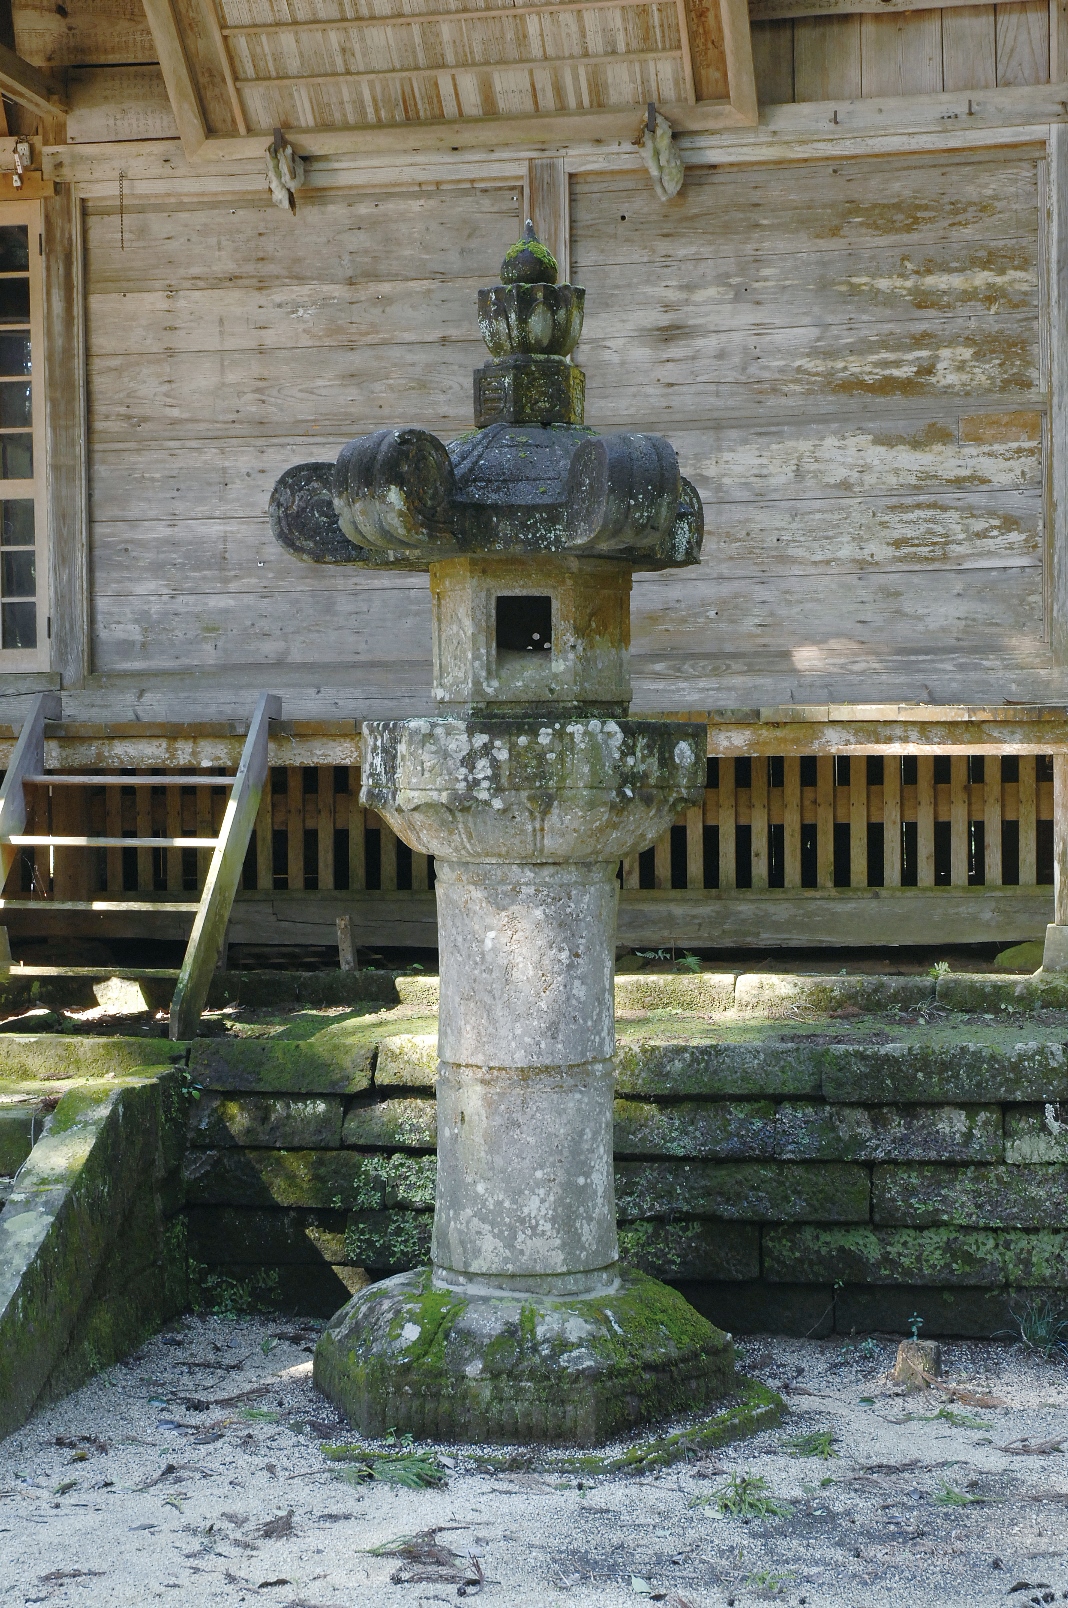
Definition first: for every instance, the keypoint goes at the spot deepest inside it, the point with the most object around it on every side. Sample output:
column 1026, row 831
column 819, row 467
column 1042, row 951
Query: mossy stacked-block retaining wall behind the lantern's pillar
column 802, row 1188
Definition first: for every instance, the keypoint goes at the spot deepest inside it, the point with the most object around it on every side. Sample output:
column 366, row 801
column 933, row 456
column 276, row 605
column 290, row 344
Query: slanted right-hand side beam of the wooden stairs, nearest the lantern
column 224, row 876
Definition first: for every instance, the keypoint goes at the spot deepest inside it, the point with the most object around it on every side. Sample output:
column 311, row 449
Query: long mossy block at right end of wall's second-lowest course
column 916, row 1257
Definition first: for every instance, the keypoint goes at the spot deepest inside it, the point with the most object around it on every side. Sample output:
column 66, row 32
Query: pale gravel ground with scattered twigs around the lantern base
column 194, row 1474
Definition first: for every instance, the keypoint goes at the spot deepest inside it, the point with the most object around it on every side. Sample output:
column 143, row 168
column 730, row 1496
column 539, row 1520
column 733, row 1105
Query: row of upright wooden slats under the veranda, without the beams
column 766, row 822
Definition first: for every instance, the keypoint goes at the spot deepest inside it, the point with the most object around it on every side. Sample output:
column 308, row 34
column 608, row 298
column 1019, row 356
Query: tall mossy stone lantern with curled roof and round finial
column 528, row 787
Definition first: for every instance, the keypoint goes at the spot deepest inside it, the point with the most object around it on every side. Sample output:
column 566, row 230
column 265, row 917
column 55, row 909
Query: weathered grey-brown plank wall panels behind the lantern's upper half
column 848, row 358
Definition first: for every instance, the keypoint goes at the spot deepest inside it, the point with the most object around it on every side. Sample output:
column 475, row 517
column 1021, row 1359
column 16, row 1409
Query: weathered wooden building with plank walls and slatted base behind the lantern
column 852, row 324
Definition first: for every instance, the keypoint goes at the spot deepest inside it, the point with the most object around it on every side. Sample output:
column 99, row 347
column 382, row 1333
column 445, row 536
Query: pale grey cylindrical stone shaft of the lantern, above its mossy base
column 525, row 1088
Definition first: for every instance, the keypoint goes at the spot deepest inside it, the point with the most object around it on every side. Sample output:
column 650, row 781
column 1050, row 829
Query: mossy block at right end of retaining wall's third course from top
column 1000, row 1197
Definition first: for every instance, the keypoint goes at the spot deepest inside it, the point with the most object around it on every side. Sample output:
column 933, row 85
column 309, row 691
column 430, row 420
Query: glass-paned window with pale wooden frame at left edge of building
column 23, row 599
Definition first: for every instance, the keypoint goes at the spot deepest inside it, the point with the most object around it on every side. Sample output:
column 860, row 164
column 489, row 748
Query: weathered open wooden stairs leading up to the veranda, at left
column 212, row 913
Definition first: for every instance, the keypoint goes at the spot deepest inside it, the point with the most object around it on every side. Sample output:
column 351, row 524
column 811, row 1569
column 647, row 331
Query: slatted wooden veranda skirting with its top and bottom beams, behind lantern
column 802, row 810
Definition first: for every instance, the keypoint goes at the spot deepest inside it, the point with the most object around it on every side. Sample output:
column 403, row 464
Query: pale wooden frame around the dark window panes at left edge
column 39, row 658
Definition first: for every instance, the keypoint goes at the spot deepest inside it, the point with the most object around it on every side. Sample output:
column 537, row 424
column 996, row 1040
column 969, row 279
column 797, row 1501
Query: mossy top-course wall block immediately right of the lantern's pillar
column 665, row 1072
